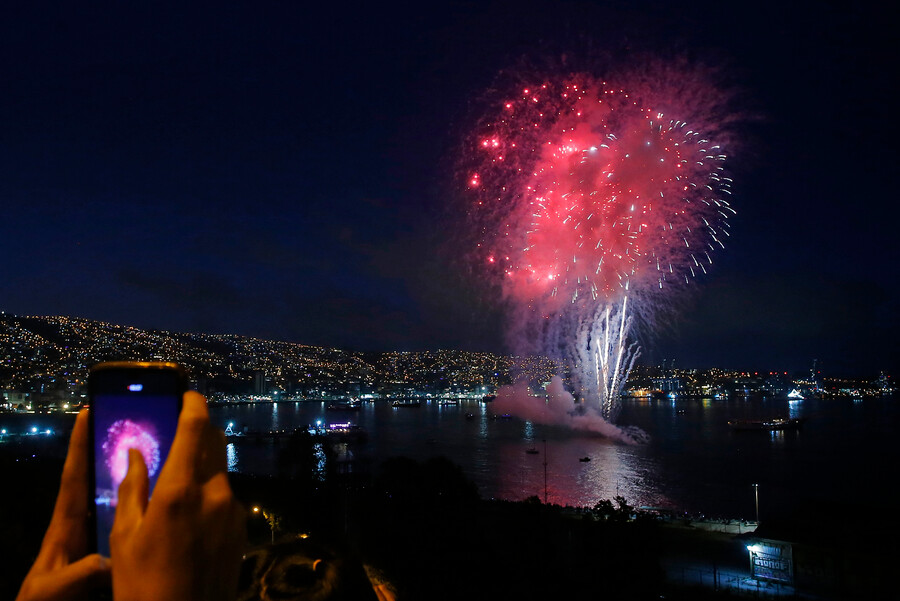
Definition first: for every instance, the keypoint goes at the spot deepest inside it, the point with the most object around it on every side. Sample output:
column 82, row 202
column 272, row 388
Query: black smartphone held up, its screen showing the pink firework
column 132, row 405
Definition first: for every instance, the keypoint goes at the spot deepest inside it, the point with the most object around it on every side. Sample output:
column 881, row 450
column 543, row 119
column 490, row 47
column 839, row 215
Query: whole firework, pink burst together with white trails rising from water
column 593, row 200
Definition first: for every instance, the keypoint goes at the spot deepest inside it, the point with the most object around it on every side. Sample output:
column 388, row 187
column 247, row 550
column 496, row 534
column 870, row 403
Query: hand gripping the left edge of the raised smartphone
column 62, row 571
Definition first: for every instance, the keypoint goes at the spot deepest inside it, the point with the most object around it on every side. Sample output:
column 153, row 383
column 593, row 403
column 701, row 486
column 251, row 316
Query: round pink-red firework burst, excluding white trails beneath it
column 585, row 190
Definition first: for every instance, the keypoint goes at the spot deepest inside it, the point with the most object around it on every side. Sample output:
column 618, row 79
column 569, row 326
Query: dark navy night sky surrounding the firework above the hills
column 285, row 170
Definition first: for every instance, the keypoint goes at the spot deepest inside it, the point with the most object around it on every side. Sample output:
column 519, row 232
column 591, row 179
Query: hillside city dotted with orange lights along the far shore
column 44, row 362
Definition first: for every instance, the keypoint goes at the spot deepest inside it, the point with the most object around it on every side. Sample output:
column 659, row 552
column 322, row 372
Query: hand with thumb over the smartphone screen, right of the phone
column 186, row 543
